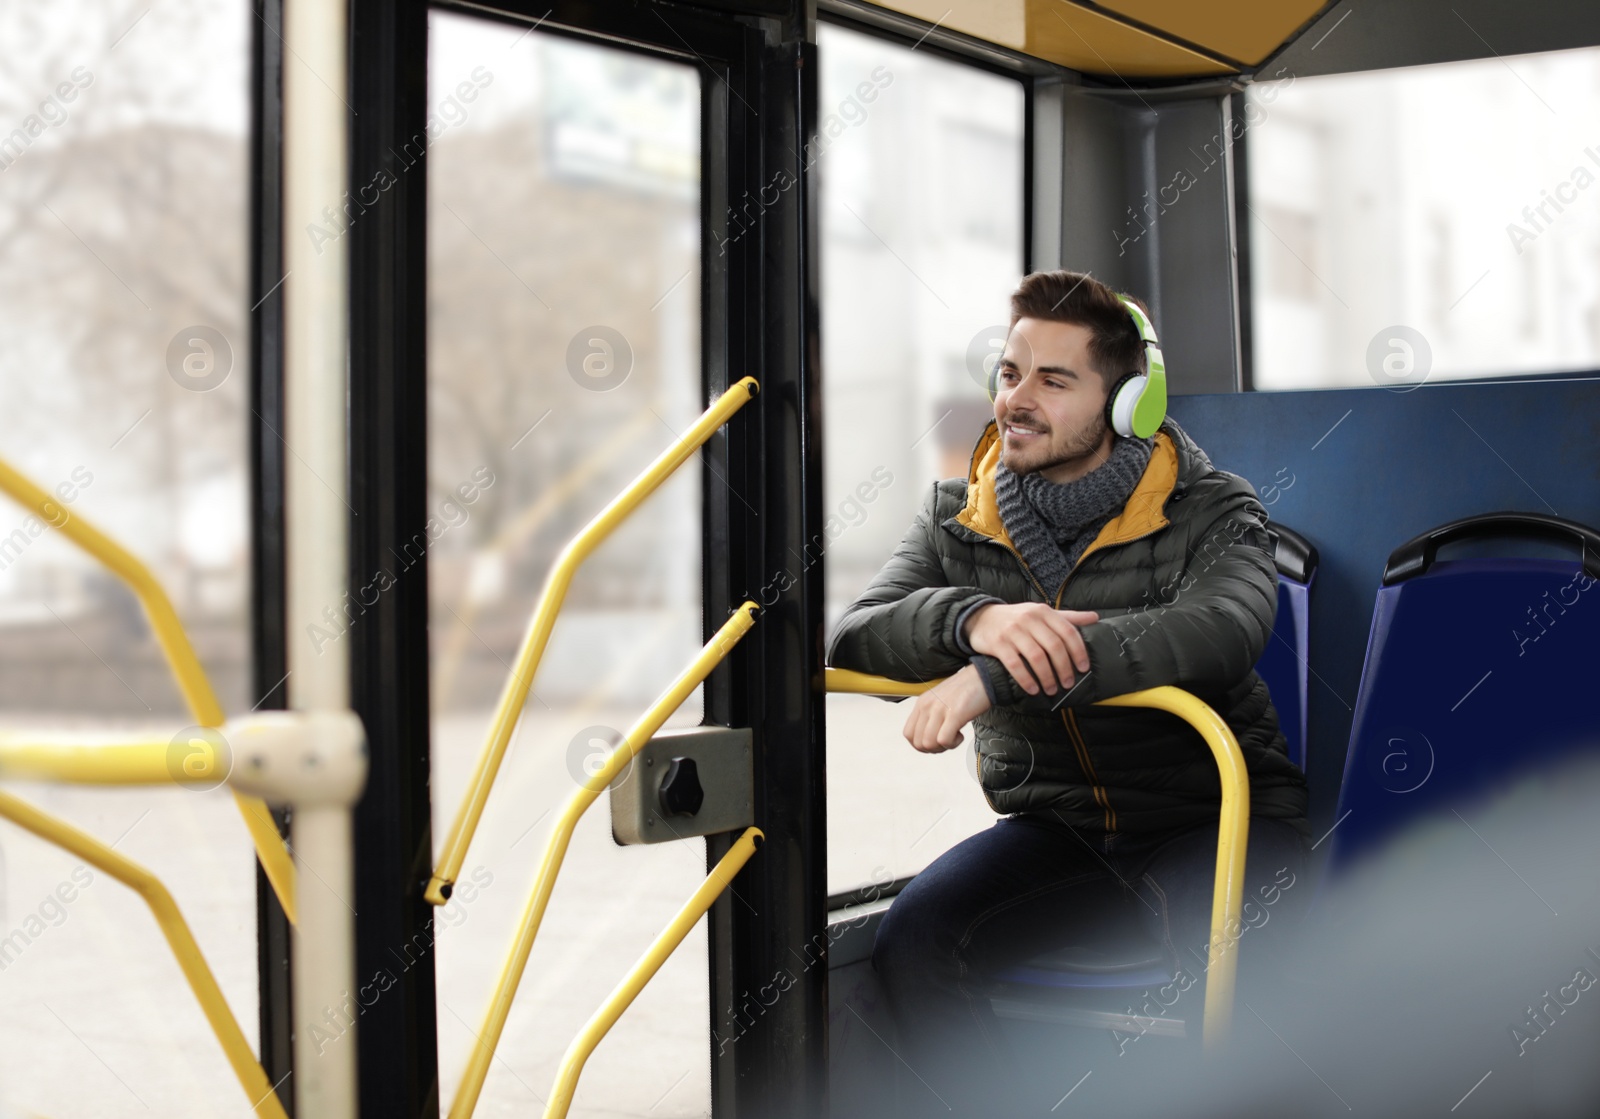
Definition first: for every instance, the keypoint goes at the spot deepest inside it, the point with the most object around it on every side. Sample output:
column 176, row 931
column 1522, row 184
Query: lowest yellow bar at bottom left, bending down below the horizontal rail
column 252, row 1078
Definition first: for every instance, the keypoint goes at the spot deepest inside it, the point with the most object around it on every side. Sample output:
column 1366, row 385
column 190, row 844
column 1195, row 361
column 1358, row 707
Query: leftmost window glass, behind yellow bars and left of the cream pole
column 124, row 207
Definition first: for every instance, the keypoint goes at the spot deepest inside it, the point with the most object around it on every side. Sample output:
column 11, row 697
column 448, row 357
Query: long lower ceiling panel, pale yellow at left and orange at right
column 1068, row 34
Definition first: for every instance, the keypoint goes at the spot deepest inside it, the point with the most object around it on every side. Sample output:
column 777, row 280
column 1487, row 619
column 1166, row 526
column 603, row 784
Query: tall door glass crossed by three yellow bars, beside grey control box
column 564, row 356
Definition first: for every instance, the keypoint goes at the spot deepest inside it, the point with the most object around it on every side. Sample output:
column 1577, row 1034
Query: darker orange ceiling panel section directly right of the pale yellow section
column 1097, row 44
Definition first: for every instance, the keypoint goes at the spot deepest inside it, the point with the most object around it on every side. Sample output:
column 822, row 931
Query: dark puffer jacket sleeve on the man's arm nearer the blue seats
column 1204, row 633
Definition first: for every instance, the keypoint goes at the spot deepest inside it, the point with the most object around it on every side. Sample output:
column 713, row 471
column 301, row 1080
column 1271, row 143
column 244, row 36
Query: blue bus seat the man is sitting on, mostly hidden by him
column 1116, row 953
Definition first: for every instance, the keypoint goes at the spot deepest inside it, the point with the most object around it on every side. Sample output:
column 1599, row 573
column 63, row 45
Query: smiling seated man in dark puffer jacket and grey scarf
column 1071, row 564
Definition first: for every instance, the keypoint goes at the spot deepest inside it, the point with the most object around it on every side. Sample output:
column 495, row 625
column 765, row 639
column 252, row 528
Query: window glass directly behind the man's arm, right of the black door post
column 922, row 243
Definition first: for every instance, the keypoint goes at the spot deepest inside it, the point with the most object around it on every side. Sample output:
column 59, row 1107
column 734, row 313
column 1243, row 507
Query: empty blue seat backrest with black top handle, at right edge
column 1476, row 670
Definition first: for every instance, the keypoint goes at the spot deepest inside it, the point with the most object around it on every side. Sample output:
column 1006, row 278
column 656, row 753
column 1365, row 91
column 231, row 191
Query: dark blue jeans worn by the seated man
column 1031, row 884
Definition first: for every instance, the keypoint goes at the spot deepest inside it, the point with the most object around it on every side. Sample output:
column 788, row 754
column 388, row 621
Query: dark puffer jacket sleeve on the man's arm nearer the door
column 903, row 625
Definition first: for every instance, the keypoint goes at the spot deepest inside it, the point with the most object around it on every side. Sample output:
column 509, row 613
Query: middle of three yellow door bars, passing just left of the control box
column 721, row 644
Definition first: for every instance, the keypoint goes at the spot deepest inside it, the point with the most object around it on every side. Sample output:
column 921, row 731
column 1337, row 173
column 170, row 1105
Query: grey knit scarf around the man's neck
column 1054, row 524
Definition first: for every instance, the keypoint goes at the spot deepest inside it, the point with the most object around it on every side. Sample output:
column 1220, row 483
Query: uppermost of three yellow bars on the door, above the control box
column 455, row 851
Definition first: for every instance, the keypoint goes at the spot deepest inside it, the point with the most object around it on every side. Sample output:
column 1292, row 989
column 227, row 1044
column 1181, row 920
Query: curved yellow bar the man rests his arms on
column 1228, row 897
